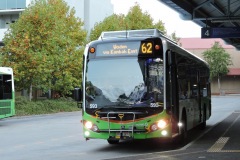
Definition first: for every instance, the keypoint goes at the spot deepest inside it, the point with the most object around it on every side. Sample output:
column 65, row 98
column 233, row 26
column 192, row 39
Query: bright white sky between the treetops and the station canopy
column 159, row 11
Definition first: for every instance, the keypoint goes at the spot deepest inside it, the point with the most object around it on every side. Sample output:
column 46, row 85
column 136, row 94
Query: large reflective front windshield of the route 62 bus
column 124, row 82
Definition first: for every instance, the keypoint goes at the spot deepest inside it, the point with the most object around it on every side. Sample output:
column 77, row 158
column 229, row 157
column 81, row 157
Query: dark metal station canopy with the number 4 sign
column 218, row 18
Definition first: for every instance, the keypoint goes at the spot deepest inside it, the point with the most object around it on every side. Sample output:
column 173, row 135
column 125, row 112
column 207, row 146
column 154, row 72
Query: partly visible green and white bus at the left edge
column 7, row 94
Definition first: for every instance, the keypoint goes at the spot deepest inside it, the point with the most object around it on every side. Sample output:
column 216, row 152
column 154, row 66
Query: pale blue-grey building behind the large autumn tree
column 90, row 11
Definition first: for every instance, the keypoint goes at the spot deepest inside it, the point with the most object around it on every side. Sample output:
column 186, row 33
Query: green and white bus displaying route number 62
column 138, row 84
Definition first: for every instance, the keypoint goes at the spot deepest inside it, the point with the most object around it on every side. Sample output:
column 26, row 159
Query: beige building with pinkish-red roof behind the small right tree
column 230, row 83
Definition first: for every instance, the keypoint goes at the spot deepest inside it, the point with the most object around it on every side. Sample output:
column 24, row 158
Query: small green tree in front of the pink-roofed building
column 218, row 60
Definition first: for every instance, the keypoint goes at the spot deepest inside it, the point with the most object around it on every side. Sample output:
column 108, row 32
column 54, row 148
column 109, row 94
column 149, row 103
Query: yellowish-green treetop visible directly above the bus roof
column 135, row 19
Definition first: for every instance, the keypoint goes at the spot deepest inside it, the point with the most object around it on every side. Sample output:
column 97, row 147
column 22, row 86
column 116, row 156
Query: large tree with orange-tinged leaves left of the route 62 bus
column 44, row 47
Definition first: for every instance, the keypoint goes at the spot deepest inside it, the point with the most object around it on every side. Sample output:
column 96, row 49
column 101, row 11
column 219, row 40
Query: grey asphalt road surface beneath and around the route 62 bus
column 59, row 136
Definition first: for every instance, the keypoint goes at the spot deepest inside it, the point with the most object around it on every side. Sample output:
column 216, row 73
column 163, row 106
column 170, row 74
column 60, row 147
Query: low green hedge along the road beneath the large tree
column 25, row 107
